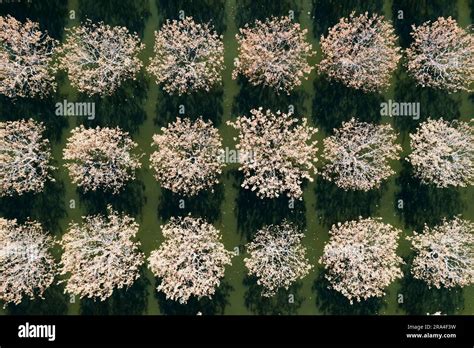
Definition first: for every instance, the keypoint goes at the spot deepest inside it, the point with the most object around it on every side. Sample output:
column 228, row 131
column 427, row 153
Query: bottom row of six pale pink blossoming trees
column 102, row 254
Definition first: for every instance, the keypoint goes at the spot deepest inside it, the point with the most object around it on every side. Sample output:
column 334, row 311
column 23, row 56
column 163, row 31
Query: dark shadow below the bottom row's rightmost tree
column 419, row 299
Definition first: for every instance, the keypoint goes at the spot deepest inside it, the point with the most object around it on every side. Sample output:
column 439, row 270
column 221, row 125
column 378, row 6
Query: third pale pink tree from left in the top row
column 189, row 56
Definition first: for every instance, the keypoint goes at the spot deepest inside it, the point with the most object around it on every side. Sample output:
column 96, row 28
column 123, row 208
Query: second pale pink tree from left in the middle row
column 100, row 158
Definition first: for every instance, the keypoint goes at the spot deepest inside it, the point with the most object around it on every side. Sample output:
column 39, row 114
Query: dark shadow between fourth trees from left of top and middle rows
column 252, row 97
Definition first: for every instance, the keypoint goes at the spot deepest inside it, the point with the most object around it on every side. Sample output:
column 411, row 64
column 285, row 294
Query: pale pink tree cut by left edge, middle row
column 24, row 157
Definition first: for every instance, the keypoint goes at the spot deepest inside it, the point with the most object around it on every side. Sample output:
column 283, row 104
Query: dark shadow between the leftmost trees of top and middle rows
column 41, row 110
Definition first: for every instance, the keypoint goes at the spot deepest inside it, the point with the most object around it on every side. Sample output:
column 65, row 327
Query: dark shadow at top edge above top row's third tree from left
column 202, row 11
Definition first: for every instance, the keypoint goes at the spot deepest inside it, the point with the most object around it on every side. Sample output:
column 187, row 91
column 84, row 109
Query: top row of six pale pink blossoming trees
column 360, row 51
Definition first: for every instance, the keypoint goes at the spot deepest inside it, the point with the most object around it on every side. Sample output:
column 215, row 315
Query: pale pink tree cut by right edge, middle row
column 443, row 153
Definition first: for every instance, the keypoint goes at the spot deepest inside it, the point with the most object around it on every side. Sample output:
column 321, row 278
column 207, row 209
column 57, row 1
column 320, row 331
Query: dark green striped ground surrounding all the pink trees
column 141, row 108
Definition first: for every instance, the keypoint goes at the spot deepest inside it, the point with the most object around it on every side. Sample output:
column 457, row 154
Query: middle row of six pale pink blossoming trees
column 276, row 152
